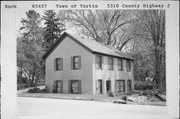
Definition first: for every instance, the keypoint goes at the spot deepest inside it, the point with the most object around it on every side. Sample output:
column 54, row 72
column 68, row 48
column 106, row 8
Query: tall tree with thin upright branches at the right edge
column 154, row 22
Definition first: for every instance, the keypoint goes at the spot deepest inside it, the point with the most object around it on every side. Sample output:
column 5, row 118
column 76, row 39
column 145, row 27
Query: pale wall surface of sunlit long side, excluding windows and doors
column 106, row 74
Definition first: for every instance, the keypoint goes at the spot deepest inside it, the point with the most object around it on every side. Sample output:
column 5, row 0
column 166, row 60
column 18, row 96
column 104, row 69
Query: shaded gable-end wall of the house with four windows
column 69, row 68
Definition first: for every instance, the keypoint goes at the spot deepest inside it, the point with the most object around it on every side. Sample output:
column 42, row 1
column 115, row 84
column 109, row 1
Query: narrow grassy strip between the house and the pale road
column 103, row 98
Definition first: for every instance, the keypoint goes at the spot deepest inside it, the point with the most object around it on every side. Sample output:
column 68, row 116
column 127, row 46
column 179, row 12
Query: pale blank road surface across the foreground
column 43, row 108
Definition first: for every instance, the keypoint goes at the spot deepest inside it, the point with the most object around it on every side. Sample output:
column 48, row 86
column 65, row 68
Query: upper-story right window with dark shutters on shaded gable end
column 76, row 62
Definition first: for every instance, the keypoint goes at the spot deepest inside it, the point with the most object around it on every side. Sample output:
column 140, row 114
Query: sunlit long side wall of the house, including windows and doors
column 112, row 74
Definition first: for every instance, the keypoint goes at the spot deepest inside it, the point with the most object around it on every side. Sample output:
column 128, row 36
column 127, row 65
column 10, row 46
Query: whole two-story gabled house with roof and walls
column 77, row 65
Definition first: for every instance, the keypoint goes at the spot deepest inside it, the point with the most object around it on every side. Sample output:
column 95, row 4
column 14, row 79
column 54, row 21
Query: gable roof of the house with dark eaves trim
column 90, row 45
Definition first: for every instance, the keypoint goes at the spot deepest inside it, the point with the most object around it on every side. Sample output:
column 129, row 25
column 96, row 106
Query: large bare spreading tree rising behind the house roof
column 105, row 26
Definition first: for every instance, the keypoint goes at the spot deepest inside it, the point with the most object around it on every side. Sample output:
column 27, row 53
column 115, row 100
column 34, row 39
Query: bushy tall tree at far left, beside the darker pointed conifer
column 29, row 49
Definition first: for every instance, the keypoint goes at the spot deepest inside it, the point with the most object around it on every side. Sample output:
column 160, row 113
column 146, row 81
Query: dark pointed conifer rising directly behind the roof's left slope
column 53, row 28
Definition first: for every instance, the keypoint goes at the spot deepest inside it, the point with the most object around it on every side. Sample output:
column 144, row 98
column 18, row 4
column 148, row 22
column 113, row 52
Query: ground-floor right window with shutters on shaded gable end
column 75, row 86
